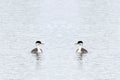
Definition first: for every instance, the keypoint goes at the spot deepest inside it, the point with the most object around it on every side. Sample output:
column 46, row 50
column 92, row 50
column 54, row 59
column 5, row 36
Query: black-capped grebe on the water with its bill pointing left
column 81, row 50
